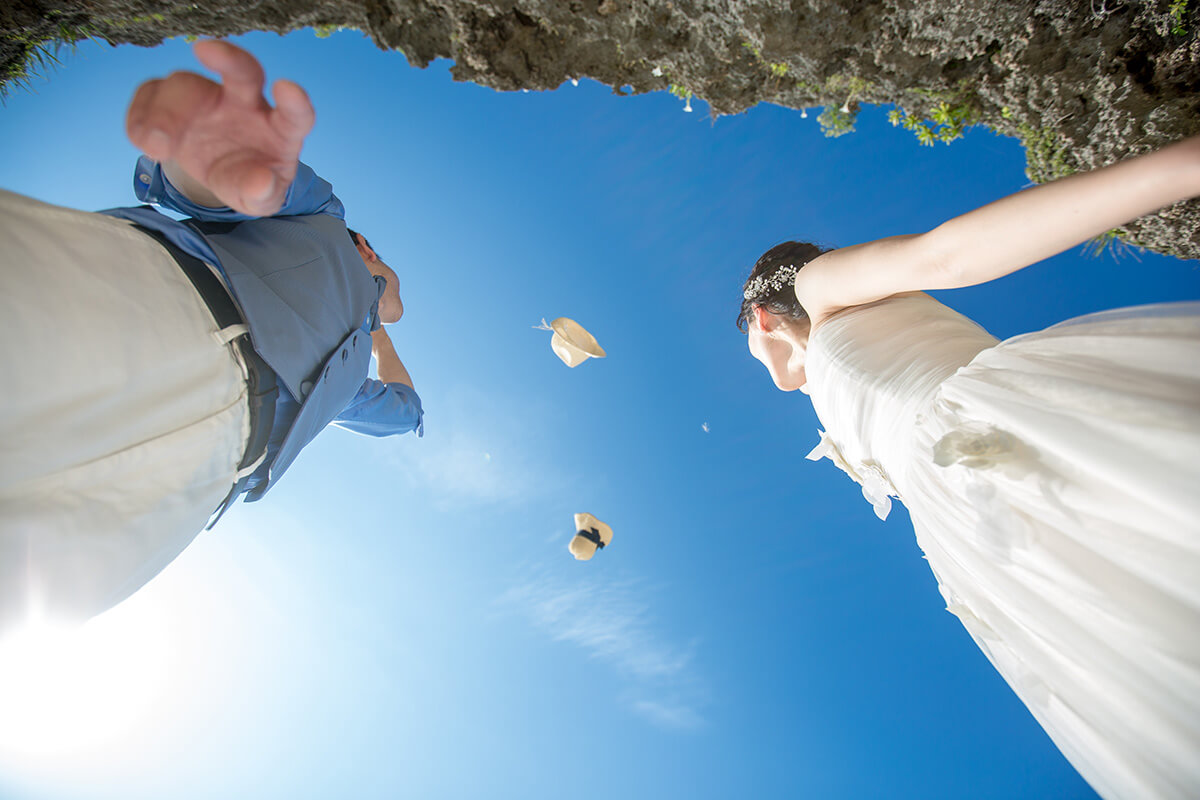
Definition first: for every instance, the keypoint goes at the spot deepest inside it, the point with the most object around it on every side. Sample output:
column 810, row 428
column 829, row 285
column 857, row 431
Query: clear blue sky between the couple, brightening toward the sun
column 401, row 618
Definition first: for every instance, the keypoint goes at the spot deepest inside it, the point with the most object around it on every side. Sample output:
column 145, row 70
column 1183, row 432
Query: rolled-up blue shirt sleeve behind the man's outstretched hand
column 309, row 194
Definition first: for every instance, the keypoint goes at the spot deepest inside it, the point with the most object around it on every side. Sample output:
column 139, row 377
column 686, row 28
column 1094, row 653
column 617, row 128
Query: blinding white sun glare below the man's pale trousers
column 75, row 690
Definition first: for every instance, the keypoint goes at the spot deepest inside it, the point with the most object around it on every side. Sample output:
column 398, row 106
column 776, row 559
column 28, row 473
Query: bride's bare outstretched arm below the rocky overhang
column 1003, row 237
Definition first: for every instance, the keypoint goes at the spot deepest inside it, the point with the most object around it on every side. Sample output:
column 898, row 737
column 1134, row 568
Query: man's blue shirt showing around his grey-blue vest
column 379, row 410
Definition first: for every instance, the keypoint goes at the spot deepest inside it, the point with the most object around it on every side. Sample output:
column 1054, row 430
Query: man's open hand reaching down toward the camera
column 225, row 136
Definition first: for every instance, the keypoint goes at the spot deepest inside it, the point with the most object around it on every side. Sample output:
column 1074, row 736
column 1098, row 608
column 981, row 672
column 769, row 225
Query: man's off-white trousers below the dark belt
column 123, row 412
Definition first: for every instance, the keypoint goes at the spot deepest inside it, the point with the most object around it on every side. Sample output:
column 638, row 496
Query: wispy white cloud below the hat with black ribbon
column 613, row 622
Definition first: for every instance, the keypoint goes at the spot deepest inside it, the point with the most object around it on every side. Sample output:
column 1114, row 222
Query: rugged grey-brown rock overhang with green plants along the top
column 1081, row 83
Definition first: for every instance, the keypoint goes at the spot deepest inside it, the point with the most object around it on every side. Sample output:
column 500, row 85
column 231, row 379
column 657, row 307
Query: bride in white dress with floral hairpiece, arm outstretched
column 1053, row 479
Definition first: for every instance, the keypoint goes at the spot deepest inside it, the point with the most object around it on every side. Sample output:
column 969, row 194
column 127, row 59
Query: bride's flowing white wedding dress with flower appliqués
column 1054, row 484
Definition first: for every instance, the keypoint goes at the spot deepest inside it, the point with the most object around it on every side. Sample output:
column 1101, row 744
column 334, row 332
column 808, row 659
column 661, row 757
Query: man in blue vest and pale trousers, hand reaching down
column 158, row 370
